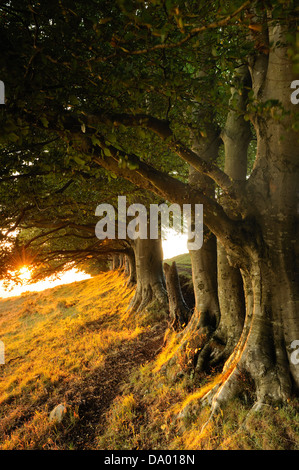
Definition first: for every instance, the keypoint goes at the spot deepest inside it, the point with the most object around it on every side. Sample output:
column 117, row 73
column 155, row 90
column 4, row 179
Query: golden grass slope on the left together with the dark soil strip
column 73, row 345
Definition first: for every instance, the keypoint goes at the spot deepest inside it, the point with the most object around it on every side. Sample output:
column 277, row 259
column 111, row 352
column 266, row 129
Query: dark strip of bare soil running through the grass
column 94, row 395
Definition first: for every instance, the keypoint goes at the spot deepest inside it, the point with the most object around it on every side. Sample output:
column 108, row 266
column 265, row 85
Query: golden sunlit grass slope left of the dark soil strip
column 55, row 338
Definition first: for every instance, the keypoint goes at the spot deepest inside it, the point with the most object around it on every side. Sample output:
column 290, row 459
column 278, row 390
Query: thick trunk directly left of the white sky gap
column 150, row 290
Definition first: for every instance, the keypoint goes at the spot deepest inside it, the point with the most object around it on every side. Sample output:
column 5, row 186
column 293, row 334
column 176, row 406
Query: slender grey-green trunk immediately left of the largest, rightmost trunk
column 236, row 137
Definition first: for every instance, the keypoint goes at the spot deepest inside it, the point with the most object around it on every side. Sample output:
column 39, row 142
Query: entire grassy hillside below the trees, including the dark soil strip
column 79, row 345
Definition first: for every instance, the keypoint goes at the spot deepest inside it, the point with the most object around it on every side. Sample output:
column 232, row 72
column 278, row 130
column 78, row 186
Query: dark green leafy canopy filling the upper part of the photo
column 91, row 84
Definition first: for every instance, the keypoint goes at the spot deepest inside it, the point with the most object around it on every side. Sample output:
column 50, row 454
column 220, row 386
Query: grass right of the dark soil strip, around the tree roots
column 168, row 413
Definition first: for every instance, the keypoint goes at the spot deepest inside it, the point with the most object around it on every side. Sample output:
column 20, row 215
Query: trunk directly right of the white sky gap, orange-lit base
column 206, row 315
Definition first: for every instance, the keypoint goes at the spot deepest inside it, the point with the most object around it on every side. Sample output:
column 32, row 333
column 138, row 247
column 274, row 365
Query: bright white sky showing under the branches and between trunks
column 176, row 244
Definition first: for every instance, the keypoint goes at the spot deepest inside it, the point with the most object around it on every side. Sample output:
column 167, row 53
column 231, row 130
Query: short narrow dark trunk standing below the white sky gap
column 179, row 312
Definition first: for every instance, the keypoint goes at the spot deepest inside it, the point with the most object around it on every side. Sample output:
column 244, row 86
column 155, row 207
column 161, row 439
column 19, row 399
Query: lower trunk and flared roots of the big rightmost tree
column 263, row 350
